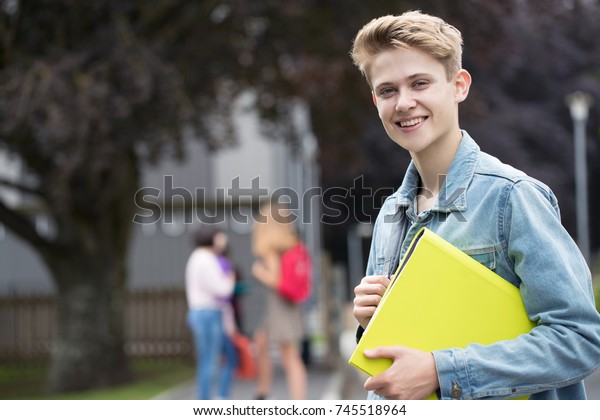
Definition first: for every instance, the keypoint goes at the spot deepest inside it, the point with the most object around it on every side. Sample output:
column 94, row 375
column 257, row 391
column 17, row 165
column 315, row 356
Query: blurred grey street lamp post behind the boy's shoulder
column 579, row 104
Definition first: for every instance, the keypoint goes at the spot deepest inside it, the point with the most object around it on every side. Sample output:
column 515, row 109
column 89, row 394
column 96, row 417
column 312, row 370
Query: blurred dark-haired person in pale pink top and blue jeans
column 208, row 290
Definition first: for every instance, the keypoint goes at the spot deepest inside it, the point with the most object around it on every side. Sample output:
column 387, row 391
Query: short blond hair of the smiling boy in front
column 412, row 29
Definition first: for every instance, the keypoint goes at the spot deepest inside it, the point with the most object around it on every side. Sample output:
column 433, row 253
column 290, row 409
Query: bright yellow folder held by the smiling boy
column 441, row 298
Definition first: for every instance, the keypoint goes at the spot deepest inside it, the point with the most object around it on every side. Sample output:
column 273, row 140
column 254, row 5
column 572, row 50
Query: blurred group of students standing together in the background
column 283, row 266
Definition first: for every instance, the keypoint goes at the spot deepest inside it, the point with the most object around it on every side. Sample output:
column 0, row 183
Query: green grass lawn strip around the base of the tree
column 152, row 378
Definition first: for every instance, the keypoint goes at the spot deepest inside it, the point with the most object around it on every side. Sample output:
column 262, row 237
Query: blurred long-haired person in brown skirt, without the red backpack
column 282, row 323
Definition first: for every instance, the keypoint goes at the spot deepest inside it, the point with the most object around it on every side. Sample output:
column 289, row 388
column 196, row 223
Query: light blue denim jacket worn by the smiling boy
column 510, row 223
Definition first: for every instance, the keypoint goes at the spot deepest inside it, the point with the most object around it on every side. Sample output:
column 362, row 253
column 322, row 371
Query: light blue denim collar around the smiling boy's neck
column 453, row 192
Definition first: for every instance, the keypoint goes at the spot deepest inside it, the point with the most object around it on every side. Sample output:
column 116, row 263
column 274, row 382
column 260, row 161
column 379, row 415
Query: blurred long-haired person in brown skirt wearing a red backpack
column 283, row 265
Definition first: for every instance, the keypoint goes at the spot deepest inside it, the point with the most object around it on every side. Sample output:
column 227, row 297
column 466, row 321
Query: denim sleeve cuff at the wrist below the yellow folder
column 452, row 372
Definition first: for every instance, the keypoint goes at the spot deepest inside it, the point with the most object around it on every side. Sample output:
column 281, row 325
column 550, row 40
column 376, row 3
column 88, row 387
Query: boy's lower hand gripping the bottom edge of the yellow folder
column 412, row 376
